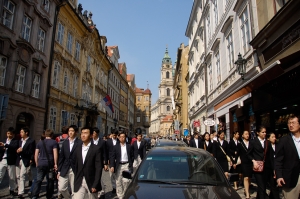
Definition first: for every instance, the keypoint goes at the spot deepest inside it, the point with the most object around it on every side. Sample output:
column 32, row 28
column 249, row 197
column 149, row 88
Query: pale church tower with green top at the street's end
column 164, row 104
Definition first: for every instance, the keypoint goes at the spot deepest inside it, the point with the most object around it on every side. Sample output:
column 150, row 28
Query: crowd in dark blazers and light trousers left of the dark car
column 73, row 161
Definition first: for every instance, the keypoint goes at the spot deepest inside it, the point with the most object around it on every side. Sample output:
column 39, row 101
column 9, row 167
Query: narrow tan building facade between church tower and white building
column 180, row 87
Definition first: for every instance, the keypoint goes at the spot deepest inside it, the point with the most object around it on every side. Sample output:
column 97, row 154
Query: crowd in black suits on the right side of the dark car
column 272, row 161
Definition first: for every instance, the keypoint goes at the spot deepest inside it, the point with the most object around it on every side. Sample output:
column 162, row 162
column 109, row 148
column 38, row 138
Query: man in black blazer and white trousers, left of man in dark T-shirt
column 24, row 158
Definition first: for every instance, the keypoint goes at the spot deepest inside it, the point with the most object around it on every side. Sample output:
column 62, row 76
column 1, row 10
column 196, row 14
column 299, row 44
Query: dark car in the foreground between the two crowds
column 179, row 172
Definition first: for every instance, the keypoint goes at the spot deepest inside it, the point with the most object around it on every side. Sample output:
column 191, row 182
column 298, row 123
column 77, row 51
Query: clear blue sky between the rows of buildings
column 142, row 29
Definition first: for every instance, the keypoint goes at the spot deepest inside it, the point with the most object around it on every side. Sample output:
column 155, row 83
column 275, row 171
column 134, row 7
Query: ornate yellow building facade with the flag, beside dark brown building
column 79, row 71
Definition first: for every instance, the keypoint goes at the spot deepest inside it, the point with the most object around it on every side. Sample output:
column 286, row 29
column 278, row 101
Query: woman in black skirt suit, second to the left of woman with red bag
column 234, row 155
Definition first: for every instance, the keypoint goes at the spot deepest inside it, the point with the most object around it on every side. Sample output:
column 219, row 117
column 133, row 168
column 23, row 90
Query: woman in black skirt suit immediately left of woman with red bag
column 247, row 164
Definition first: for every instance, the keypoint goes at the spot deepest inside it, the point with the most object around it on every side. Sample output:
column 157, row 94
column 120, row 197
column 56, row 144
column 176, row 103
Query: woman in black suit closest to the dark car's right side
column 220, row 154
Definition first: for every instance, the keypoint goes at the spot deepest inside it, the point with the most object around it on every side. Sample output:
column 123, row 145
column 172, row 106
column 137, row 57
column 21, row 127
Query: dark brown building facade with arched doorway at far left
column 26, row 30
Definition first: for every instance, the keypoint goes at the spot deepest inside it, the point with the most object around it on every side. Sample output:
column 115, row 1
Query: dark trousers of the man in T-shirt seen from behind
column 42, row 171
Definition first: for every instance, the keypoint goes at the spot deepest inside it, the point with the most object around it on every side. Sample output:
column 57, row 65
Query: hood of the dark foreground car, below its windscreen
column 155, row 190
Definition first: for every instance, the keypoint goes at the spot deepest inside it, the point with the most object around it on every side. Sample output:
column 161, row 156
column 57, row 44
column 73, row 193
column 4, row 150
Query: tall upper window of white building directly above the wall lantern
column 245, row 30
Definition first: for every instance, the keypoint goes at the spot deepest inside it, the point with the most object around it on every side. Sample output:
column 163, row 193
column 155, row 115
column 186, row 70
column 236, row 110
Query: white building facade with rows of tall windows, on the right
column 218, row 31
